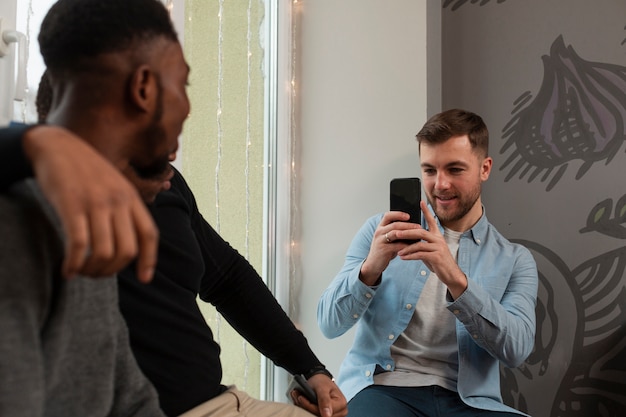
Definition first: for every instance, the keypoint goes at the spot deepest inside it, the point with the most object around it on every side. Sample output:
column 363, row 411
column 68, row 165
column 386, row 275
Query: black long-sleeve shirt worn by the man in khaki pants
column 170, row 338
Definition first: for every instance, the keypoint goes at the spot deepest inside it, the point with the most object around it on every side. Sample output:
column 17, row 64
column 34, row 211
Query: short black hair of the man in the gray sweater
column 73, row 30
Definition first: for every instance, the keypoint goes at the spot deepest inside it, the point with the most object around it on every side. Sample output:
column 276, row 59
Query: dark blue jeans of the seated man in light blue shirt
column 432, row 401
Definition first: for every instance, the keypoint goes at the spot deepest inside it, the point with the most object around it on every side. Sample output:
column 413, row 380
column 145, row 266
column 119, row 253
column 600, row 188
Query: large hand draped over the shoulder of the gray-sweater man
column 106, row 223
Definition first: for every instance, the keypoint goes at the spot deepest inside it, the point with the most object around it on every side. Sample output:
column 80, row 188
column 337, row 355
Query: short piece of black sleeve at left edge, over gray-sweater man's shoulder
column 15, row 166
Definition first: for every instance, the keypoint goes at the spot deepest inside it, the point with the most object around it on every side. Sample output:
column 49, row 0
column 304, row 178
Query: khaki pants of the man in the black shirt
column 235, row 403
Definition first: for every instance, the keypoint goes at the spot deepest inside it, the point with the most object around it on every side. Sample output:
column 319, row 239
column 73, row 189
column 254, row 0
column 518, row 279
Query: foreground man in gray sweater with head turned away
column 64, row 346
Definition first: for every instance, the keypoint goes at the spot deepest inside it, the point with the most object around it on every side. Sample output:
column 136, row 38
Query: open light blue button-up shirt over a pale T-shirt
column 495, row 315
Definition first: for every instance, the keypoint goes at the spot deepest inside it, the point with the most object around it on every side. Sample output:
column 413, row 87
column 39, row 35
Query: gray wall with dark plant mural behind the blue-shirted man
column 549, row 78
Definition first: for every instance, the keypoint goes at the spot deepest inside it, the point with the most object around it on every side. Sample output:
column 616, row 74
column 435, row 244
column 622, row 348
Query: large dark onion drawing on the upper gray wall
column 577, row 115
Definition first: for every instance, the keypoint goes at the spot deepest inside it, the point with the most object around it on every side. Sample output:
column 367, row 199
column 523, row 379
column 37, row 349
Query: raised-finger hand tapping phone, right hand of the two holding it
column 433, row 250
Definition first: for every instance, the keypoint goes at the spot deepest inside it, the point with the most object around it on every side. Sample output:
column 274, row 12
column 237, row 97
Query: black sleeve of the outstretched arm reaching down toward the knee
column 240, row 295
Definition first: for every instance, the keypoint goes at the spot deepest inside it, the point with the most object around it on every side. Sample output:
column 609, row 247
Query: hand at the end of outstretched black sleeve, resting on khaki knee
column 330, row 399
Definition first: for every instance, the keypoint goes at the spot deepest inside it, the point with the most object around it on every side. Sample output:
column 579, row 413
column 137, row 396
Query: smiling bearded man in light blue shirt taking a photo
column 434, row 317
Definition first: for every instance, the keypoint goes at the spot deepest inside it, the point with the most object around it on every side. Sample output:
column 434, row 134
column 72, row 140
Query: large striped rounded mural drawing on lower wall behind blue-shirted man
column 578, row 363
